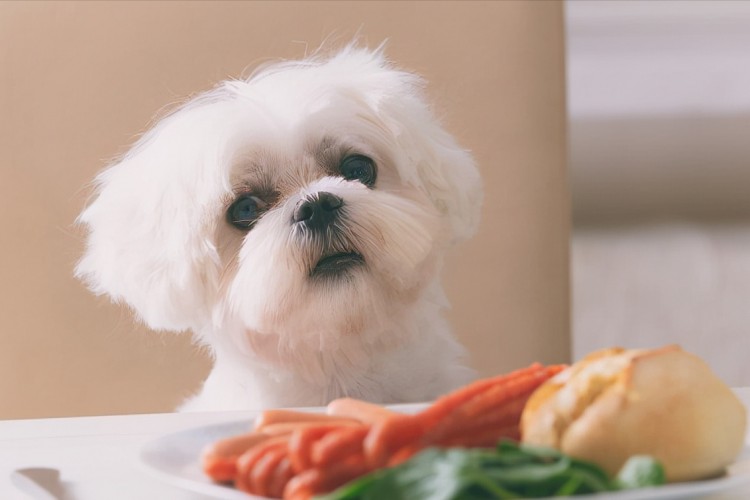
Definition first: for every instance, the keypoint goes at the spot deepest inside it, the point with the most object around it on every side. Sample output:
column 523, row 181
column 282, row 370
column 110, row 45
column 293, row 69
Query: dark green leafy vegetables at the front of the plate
column 510, row 471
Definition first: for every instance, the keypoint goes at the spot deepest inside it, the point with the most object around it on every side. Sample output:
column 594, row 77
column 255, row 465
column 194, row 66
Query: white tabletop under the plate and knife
column 98, row 456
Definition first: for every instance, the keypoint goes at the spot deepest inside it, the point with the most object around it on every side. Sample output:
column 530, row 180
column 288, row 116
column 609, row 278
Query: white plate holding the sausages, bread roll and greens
column 175, row 458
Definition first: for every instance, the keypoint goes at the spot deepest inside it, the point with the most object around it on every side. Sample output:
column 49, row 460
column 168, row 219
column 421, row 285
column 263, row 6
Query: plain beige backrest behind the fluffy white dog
column 78, row 81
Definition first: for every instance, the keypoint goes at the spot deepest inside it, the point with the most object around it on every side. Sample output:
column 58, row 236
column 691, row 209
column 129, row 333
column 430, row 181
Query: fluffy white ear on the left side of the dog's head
column 152, row 222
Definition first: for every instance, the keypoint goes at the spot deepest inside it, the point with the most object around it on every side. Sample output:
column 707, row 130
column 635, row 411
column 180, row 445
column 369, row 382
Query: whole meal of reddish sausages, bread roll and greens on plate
column 616, row 419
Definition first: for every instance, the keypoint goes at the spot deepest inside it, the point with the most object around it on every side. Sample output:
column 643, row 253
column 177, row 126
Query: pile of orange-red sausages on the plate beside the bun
column 318, row 457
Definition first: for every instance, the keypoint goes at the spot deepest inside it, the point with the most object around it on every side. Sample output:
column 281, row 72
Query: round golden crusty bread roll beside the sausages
column 662, row 402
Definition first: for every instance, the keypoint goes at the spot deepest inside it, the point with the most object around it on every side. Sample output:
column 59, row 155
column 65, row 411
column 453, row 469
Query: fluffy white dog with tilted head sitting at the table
column 296, row 222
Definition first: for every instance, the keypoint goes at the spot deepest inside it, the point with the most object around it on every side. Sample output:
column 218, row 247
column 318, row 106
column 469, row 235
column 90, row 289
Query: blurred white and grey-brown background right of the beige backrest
column 659, row 127
